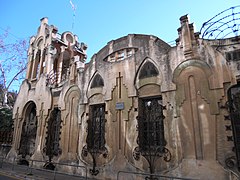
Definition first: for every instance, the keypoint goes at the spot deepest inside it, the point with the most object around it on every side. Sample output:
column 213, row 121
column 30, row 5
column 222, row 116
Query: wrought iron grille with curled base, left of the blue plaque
column 96, row 135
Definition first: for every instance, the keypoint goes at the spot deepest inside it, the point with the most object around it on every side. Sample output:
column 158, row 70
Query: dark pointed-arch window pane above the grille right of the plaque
column 148, row 70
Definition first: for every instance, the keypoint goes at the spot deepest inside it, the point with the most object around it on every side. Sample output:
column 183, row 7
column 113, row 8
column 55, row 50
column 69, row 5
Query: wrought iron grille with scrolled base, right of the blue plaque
column 151, row 139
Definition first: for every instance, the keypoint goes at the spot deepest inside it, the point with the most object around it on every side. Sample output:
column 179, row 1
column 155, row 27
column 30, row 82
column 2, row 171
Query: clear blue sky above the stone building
column 96, row 22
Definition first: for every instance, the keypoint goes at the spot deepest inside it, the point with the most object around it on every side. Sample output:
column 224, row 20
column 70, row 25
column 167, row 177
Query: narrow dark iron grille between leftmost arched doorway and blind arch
column 53, row 134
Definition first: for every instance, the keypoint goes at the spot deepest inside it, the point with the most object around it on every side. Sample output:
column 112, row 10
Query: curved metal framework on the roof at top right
column 226, row 24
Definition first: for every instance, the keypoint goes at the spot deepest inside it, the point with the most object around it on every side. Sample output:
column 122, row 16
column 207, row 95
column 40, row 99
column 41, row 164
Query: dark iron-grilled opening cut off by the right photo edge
column 234, row 107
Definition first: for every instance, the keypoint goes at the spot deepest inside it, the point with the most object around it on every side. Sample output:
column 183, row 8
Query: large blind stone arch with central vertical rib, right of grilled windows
column 196, row 105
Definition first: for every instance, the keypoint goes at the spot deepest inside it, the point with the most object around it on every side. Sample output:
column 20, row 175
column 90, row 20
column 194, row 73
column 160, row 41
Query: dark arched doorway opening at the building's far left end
column 29, row 130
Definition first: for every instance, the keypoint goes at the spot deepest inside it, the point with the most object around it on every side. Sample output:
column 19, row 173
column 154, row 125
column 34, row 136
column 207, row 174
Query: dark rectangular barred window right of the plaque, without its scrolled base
column 150, row 125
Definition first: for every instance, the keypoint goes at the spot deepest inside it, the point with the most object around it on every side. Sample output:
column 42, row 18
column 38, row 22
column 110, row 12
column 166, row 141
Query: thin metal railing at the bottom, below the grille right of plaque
column 152, row 175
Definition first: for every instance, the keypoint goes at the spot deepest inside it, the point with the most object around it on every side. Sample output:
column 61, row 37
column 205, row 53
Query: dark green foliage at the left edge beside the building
column 6, row 121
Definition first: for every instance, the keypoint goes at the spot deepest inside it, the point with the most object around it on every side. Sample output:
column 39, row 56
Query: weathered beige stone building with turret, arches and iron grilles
column 139, row 106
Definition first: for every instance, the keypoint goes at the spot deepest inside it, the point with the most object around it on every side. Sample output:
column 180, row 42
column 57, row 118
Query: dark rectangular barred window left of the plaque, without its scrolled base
column 96, row 129
